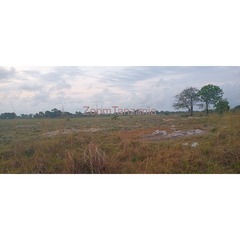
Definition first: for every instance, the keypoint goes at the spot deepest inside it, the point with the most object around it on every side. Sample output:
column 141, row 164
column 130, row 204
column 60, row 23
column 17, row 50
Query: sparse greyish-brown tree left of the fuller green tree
column 187, row 99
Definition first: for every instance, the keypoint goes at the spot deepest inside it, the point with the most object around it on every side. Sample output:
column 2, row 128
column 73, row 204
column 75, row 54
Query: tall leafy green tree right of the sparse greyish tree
column 210, row 94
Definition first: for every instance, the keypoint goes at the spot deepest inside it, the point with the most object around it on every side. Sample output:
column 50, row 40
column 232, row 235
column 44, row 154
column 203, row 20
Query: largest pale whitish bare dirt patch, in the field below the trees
column 163, row 135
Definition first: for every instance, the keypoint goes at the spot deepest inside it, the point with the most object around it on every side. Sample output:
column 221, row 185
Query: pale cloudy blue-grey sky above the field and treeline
column 70, row 88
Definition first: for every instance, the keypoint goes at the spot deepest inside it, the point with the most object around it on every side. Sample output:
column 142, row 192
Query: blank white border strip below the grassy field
column 119, row 207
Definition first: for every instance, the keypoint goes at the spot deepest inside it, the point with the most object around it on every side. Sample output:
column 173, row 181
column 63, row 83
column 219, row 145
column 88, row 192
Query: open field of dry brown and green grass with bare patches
column 131, row 144
